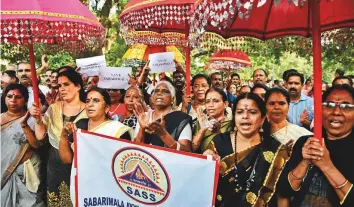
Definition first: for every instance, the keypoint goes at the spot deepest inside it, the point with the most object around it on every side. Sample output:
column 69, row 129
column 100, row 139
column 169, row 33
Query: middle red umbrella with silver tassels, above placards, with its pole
column 159, row 16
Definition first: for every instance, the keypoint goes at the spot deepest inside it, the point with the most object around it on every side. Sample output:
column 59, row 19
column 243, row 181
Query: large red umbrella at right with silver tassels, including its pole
column 310, row 18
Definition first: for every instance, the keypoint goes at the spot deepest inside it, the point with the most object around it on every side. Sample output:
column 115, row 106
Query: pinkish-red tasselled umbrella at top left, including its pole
column 52, row 22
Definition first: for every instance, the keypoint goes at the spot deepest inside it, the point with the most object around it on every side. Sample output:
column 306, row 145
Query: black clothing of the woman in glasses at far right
column 341, row 152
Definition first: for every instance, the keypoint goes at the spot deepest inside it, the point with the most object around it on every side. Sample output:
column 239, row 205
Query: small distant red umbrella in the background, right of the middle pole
column 229, row 60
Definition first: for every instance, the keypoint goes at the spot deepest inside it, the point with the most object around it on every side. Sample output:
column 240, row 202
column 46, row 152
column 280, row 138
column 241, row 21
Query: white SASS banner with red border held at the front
column 112, row 172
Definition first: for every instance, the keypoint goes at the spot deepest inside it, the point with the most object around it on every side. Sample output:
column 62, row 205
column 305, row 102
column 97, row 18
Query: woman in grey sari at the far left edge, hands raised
column 20, row 163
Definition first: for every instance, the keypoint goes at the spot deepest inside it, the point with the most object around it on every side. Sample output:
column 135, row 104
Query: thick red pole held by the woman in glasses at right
column 317, row 67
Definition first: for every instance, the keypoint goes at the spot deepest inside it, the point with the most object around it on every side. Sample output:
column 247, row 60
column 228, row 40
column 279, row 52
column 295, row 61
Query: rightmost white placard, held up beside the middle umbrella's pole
column 162, row 62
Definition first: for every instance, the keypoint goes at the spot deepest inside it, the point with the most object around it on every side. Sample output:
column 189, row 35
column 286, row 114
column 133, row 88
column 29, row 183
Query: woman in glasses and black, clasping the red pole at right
column 319, row 174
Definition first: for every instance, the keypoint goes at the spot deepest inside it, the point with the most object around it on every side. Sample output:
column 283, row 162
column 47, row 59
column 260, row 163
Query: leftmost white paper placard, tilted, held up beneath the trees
column 92, row 65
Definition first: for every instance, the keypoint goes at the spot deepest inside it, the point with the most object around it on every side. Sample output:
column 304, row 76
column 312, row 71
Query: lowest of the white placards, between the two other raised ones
column 114, row 77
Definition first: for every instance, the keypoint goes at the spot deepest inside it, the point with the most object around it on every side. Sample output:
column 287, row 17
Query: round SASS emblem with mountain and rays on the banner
column 141, row 176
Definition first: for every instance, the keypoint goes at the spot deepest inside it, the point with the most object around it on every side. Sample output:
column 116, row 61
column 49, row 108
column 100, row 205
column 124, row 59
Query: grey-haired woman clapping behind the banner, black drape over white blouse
column 163, row 126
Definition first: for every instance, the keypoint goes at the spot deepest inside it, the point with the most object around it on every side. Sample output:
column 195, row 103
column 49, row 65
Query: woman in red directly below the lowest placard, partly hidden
column 117, row 109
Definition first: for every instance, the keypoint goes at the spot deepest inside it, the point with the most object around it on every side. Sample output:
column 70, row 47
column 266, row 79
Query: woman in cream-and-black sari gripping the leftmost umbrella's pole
column 70, row 109
